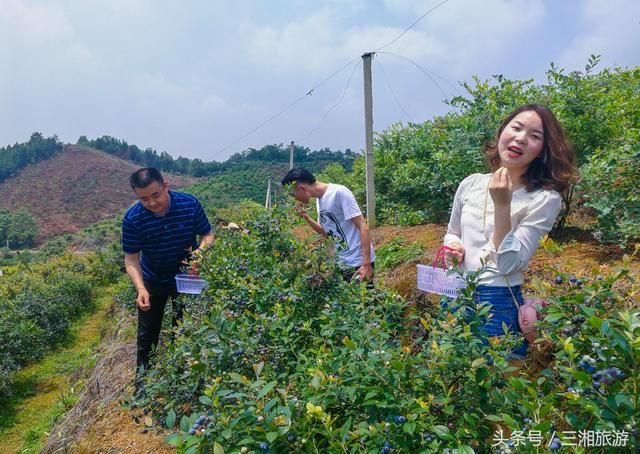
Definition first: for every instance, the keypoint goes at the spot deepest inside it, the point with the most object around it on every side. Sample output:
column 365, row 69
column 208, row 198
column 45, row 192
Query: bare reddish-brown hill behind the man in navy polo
column 75, row 188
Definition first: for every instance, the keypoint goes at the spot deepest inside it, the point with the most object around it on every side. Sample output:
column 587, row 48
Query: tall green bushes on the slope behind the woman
column 419, row 166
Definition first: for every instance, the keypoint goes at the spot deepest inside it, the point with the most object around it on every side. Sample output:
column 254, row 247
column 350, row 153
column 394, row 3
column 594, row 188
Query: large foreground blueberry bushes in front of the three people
column 281, row 355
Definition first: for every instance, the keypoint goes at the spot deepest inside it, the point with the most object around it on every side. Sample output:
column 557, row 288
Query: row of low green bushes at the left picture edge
column 38, row 304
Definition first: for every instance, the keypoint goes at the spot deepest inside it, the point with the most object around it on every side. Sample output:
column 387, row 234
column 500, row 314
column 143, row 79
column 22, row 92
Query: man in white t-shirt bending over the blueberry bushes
column 339, row 217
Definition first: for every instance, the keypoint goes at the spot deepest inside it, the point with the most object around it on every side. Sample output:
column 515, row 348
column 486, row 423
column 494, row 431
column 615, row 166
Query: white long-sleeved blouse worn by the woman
column 532, row 216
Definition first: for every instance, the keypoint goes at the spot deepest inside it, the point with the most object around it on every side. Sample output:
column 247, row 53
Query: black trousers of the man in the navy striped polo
column 150, row 322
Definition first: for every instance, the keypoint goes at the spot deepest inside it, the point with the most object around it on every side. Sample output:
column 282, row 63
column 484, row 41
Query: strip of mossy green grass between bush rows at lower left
column 42, row 392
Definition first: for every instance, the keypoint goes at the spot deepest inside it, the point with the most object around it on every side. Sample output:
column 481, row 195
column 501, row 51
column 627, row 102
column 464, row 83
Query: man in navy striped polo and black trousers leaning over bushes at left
column 158, row 234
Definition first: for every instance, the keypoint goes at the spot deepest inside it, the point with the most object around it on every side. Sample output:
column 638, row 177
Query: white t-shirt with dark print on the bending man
column 336, row 208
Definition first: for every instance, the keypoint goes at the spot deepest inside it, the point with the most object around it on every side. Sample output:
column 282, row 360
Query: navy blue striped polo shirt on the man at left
column 164, row 241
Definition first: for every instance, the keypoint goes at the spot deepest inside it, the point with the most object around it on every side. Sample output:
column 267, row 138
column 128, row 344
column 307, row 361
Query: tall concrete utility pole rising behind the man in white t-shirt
column 368, row 130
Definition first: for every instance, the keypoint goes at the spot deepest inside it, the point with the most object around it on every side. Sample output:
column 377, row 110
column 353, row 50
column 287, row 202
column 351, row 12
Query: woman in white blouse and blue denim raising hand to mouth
column 501, row 217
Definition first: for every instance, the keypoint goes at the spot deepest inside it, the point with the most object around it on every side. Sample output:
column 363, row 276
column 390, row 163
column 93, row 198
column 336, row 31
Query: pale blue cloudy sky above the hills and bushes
column 194, row 77
